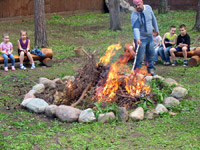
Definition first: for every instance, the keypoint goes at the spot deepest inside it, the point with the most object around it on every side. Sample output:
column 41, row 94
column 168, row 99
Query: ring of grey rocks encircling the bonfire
column 70, row 114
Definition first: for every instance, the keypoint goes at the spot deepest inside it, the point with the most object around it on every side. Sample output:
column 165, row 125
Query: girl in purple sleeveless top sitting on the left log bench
column 23, row 50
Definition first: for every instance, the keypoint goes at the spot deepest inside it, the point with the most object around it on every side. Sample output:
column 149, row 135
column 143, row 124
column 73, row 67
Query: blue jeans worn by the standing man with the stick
column 147, row 47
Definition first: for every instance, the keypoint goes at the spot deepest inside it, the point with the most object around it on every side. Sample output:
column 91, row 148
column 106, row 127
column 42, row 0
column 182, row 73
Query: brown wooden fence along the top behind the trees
column 14, row 8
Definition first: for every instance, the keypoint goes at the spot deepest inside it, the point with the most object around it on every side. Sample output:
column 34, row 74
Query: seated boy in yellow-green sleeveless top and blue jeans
column 168, row 41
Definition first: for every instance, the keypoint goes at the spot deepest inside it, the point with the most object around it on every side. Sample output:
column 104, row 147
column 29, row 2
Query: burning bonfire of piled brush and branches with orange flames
column 103, row 82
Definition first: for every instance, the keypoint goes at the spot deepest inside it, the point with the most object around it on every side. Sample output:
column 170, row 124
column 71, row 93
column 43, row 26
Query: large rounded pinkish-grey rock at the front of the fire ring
column 67, row 113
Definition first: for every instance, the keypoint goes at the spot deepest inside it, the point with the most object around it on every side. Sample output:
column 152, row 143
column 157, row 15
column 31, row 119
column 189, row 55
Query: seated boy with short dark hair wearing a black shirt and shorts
column 183, row 44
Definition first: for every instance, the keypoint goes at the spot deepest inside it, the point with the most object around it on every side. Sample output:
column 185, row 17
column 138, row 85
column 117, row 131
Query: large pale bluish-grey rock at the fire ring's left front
column 37, row 105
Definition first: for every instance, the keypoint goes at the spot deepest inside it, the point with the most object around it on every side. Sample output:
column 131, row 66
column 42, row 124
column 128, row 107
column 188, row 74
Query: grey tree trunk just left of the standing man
column 114, row 10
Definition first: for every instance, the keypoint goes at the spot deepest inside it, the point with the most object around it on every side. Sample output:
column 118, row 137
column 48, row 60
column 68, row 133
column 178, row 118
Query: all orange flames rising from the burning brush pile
column 135, row 85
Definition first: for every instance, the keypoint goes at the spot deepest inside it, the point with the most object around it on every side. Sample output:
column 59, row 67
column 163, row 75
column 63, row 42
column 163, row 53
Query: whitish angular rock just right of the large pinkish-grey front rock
column 87, row 116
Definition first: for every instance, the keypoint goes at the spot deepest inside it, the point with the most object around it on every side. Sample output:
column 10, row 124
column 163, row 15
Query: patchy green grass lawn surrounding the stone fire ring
column 21, row 129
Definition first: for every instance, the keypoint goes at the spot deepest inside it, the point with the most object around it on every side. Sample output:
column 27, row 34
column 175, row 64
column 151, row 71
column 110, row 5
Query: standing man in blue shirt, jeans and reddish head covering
column 143, row 22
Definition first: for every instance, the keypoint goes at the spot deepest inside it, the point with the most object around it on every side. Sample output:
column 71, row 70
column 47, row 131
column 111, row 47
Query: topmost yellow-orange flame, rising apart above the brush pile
column 109, row 53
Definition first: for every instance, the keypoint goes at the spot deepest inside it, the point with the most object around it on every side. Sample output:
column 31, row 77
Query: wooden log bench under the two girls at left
column 47, row 60
